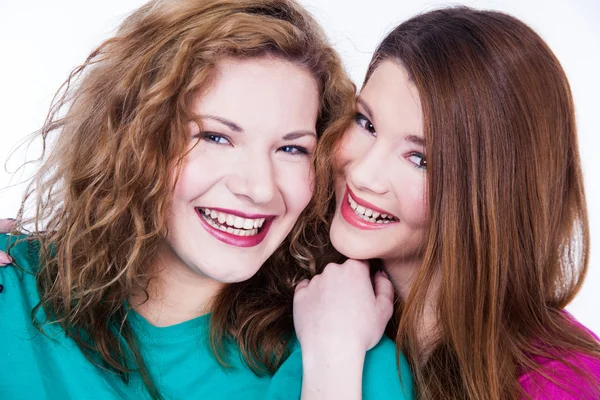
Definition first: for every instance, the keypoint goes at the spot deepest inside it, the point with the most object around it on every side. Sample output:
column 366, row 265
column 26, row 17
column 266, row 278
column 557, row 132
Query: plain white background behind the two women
column 41, row 41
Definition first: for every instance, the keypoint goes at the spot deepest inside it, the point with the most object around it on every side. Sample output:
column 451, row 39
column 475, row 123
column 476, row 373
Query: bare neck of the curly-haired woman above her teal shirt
column 176, row 293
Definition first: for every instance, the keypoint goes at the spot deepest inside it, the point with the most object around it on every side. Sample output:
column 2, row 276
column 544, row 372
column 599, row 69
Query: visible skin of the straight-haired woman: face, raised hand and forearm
column 381, row 159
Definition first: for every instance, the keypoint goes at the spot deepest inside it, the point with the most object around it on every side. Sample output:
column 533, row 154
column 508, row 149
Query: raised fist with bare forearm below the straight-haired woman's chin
column 338, row 316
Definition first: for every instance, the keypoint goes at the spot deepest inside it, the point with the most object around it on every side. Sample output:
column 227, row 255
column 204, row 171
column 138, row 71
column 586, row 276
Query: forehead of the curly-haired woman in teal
column 263, row 92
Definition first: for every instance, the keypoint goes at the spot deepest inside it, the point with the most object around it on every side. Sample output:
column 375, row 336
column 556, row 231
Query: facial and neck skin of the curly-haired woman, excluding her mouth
column 256, row 171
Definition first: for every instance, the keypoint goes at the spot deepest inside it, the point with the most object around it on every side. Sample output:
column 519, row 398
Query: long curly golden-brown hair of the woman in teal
column 101, row 196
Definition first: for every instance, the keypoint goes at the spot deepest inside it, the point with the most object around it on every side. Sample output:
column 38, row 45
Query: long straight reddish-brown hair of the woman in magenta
column 509, row 237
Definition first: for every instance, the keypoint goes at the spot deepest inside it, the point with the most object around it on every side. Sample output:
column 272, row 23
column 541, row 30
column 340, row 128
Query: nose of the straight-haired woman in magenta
column 368, row 171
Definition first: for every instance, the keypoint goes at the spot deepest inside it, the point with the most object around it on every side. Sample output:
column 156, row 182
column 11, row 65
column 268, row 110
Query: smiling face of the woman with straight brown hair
column 381, row 179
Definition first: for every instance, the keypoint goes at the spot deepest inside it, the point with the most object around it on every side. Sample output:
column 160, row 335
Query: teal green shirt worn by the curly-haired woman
column 51, row 366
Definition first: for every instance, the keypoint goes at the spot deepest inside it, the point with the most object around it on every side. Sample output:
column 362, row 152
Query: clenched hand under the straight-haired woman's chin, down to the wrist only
column 341, row 307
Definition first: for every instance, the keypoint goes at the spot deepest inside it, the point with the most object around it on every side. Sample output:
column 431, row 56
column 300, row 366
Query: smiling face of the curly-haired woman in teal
column 250, row 175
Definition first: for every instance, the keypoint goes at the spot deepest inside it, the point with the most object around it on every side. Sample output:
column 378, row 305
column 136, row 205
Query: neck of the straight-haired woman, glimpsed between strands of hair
column 403, row 274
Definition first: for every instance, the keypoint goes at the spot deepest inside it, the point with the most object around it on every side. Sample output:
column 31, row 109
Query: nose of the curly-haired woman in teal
column 254, row 179
